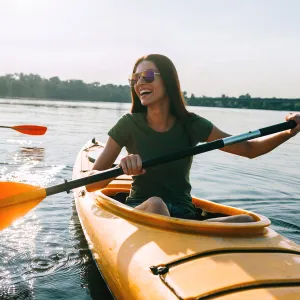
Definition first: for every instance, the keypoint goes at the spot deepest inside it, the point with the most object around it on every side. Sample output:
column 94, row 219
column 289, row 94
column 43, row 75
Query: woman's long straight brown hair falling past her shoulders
column 170, row 79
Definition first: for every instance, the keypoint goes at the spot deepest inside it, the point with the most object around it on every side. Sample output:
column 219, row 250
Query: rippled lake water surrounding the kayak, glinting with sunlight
column 44, row 255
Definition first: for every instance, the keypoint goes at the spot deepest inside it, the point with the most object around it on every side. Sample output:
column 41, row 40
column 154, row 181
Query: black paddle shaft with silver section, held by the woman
column 217, row 144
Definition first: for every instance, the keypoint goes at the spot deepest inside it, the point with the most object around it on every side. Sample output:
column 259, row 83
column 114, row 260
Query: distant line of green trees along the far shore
column 32, row 86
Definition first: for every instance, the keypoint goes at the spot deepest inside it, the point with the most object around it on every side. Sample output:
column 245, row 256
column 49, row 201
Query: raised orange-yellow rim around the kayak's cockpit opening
column 112, row 199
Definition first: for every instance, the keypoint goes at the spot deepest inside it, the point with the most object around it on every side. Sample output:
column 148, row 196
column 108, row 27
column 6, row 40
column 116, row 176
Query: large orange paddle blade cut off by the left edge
column 16, row 200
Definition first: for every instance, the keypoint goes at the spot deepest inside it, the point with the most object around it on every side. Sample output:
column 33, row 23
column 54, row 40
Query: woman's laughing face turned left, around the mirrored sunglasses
column 153, row 92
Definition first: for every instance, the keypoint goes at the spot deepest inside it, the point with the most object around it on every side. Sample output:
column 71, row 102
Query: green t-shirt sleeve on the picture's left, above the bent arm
column 121, row 131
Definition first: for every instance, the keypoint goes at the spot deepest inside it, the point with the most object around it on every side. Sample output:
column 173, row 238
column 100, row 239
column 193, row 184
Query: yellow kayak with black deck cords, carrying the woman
column 148, row 256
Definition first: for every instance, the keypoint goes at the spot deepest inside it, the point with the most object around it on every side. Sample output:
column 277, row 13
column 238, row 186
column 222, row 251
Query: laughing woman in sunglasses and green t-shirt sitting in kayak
column 160, row 124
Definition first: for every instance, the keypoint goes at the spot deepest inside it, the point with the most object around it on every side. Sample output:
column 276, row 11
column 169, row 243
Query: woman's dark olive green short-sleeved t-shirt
column 169, row 181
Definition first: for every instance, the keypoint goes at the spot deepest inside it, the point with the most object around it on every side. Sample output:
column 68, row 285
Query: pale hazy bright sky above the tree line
column 230, row 47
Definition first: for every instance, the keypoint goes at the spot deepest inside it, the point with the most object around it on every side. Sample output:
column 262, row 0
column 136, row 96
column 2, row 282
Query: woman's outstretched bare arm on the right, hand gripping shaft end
column 259, row 146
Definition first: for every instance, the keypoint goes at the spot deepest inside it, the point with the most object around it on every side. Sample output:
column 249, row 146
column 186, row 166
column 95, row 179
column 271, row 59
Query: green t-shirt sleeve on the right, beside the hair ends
column 199, row 128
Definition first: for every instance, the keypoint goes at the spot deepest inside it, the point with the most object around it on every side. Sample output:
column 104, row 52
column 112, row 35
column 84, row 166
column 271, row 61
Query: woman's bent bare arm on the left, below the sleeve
column 104, row 162
